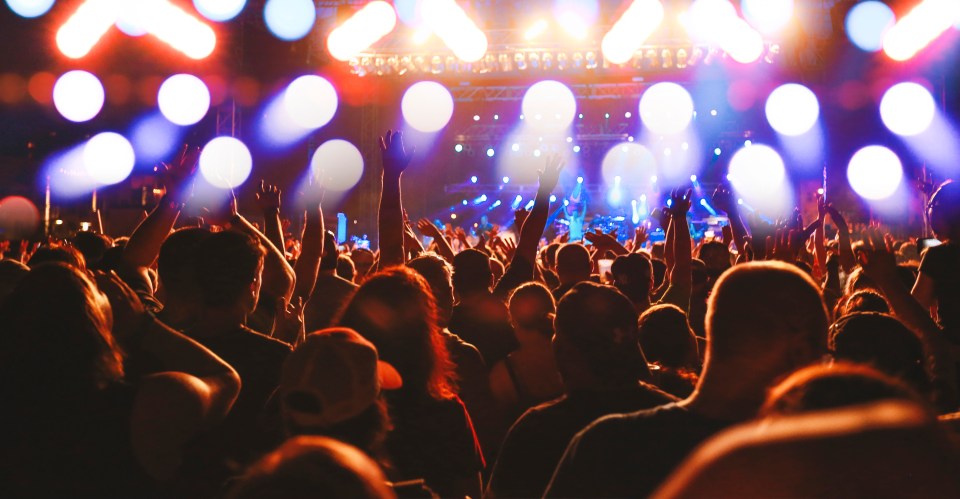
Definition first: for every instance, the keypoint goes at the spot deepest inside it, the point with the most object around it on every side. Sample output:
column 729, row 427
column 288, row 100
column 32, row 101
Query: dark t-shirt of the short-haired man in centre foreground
column 536, row 441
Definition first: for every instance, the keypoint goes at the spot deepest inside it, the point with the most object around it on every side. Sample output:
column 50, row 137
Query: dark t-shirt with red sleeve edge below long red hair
column 434, row 440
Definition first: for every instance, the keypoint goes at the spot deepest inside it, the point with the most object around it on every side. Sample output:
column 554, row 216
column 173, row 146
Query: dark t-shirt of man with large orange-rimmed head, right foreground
column 629, row 455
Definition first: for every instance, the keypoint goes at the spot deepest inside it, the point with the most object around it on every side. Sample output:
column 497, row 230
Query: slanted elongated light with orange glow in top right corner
column 920, row 27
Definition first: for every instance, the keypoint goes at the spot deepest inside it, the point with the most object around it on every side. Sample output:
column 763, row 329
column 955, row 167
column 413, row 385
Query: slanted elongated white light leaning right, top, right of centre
column 628, row 34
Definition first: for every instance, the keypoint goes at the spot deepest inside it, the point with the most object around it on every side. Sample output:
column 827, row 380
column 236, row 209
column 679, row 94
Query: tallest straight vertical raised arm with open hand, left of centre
column 390, row 216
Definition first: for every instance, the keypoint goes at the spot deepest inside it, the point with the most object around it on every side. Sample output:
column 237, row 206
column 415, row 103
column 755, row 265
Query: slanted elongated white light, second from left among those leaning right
column 365, row 28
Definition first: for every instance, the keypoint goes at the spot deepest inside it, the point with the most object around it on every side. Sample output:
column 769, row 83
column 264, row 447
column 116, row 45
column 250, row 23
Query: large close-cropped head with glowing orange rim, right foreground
column 764, row 320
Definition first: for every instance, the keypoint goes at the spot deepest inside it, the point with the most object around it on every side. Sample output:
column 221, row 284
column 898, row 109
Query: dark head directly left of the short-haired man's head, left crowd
column 177, row 263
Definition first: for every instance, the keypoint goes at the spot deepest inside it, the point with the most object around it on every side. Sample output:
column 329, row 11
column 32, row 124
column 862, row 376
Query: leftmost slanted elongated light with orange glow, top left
column 86, row 26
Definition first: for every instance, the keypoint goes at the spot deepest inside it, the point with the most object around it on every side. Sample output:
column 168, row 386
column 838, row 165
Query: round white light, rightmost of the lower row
column 875, row 172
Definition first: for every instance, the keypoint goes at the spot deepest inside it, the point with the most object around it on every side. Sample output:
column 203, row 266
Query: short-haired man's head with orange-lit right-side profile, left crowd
column 228, row 269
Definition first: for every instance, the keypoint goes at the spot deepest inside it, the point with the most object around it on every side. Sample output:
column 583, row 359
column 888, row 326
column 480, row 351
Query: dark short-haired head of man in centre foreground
column 596, row 339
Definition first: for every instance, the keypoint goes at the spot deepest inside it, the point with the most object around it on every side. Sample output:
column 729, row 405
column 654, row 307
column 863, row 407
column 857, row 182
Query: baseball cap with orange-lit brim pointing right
column 334, row 375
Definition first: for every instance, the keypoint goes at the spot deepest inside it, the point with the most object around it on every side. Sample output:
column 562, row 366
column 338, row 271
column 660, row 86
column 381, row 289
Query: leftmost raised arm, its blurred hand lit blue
column 144, row 245
